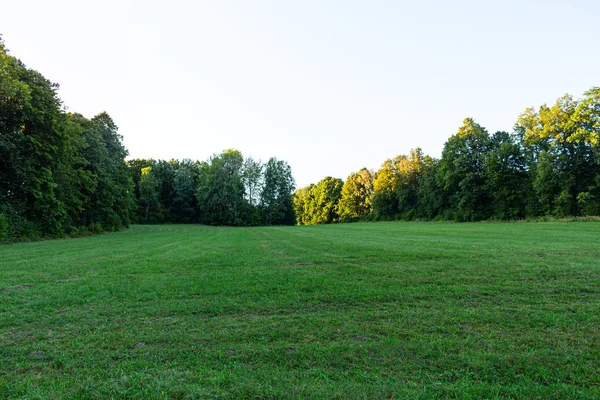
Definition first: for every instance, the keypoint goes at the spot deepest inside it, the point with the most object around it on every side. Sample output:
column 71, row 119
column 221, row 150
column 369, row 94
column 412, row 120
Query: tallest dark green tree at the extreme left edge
column 30, row 145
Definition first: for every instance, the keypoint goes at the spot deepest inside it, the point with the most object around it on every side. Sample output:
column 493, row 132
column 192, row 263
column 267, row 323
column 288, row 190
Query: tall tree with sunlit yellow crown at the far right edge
column 560, row 144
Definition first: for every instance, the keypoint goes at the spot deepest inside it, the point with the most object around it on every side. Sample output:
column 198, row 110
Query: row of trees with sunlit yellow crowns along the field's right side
column 548, row 166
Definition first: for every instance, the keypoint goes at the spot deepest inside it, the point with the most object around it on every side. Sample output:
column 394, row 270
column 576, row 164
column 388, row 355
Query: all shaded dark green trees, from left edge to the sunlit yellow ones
column 63, row 174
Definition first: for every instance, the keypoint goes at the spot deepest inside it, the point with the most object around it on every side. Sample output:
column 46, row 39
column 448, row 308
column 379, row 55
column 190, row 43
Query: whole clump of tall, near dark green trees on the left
column 58, row 172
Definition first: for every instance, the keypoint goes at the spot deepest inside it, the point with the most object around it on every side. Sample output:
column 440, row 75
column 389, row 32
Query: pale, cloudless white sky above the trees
column 329, row 86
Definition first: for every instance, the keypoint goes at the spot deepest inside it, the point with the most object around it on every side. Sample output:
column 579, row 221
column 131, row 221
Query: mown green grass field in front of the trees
column 378, row 310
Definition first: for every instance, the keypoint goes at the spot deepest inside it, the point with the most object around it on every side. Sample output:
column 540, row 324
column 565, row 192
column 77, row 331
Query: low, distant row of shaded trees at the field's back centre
column 227, row 189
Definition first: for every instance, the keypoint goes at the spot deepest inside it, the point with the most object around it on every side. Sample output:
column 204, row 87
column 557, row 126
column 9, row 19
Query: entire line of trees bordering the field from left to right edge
column 64, row 174
